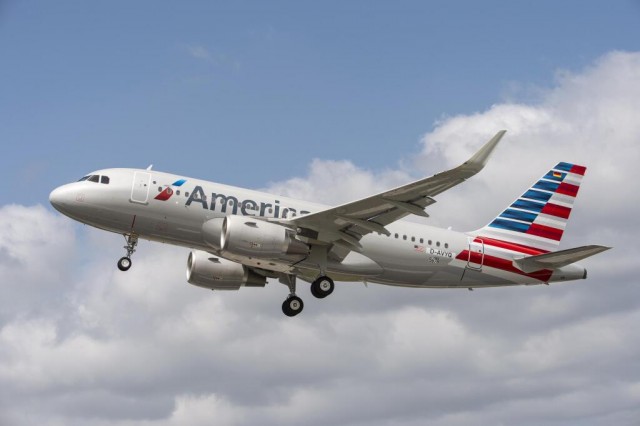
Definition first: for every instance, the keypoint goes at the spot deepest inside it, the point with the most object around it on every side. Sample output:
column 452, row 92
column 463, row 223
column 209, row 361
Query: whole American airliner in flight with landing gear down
column 241, row 237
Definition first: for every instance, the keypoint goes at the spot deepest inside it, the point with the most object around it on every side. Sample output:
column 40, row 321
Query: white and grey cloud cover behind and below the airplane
column 84, row 344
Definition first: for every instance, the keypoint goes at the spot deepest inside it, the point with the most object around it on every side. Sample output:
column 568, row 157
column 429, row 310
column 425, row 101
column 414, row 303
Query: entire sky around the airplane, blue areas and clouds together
column 326, row 102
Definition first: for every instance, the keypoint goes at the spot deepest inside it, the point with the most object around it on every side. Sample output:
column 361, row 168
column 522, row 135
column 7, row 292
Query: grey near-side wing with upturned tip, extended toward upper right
column 346, row 224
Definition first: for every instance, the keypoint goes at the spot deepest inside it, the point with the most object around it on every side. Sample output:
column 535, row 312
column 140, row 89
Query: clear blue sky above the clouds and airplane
column 248, row 92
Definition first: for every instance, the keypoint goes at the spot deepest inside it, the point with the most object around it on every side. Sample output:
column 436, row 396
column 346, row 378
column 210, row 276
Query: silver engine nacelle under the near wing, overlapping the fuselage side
column 245, row 236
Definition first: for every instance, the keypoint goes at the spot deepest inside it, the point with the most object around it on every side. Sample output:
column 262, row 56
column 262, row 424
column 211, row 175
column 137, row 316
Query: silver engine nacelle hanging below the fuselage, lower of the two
column 208, row 271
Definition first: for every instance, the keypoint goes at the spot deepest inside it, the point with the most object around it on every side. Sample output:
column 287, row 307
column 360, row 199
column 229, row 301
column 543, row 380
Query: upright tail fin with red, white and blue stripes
column 538, row 218
